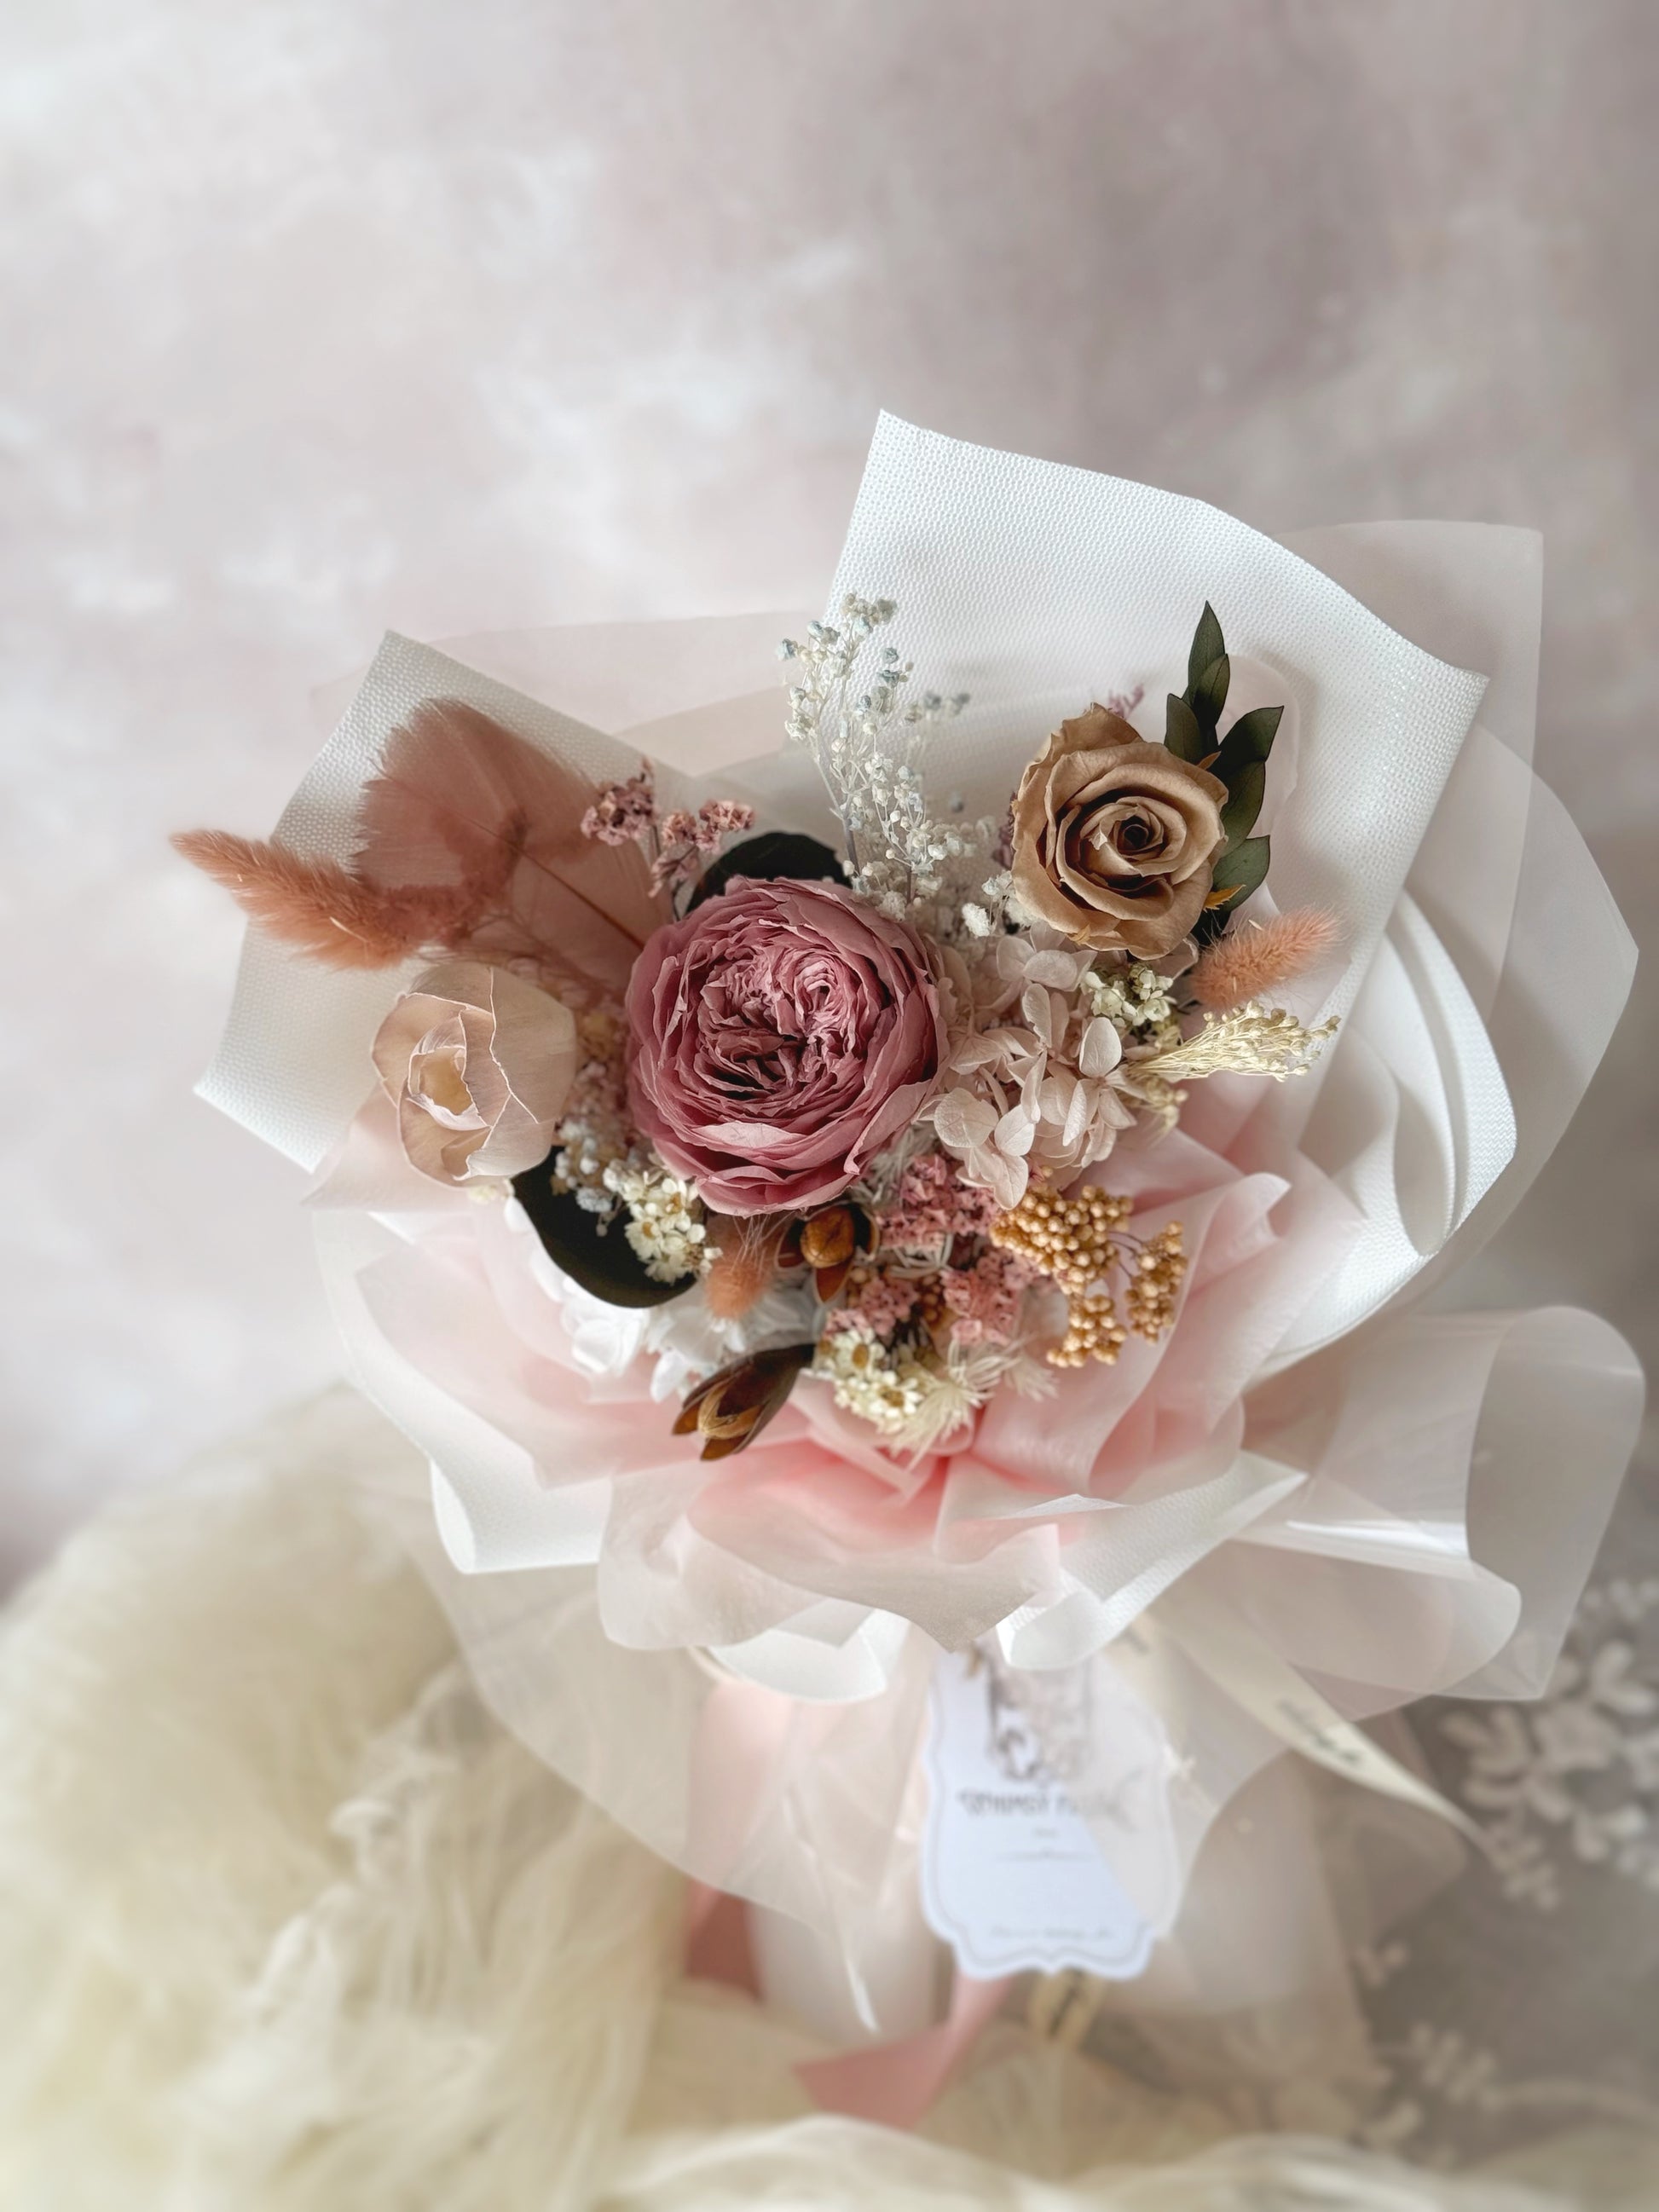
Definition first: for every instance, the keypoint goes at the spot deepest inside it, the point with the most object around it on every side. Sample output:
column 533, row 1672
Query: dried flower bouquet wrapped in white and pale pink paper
column 937, row 1213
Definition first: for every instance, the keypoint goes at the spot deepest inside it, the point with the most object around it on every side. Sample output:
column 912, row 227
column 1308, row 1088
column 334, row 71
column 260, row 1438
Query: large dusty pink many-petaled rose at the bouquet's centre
column 782, row 1036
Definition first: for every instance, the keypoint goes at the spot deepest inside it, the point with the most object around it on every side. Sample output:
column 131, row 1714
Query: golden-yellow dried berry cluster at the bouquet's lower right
column 1078, row 1244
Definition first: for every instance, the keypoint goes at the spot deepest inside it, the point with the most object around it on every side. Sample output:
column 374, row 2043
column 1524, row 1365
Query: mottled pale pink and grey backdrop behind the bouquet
column 340, row 315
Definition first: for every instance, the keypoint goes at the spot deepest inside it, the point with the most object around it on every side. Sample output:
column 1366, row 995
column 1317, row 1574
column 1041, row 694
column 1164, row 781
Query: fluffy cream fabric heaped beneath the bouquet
column 291, row 1923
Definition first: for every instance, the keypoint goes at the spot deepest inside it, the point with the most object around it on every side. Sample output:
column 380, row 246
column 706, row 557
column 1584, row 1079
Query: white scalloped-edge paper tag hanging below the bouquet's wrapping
column 1023, row 1777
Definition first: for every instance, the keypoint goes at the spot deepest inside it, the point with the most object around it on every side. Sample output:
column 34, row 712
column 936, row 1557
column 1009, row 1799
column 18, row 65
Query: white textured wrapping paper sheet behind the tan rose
column 1034, row 585
